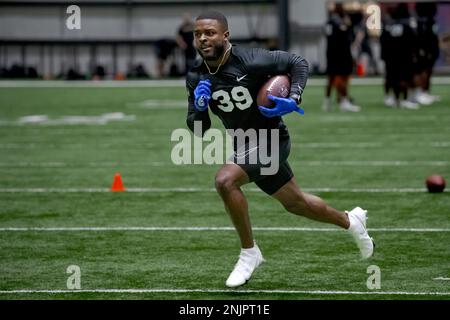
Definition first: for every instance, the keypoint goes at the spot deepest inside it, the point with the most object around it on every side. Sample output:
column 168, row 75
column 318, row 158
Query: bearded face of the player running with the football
column 210, row 39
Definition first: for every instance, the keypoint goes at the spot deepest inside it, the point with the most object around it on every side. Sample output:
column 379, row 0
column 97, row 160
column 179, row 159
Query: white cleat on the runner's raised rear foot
column 358, row 230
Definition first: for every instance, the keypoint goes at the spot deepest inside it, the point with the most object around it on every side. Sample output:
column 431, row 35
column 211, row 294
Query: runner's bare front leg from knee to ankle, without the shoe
column 229, row 180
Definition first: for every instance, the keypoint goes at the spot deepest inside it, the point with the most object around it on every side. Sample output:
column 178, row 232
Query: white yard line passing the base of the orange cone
column 204, row 190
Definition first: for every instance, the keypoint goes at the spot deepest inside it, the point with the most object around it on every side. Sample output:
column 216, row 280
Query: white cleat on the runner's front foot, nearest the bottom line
column 249, row 260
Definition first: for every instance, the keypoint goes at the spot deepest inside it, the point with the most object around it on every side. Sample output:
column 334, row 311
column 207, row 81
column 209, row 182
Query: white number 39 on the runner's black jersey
column 240, row 97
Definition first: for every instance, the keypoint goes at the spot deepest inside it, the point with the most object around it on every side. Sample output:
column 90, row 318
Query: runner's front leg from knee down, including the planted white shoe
column 229, row 179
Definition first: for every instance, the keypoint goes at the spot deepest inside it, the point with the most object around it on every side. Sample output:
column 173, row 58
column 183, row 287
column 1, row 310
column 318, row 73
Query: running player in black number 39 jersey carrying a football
column 226, row 81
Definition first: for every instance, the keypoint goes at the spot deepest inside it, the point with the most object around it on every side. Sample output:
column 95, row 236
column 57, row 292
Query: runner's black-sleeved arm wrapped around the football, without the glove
column 266, row 62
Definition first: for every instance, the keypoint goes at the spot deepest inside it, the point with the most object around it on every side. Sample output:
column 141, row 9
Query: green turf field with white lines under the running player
column 55, row 177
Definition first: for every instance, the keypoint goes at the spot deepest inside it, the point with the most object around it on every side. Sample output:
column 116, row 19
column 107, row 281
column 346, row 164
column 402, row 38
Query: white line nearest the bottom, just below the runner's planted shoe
column 312, row 292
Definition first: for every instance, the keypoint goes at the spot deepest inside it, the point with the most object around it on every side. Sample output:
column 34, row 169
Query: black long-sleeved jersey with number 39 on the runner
column 235, row 87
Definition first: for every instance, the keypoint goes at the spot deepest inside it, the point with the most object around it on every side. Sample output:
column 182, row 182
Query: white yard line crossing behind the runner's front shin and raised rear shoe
column 281, row 229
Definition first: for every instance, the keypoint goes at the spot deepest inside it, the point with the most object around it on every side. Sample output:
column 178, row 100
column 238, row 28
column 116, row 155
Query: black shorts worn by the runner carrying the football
column 259, row 171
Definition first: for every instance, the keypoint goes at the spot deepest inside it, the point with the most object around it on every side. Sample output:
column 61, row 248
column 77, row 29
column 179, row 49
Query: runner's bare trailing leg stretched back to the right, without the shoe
column 309, row 206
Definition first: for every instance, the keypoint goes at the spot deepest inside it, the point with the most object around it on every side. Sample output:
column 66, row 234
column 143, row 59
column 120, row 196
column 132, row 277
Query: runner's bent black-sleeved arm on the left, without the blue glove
column 193, row 113
